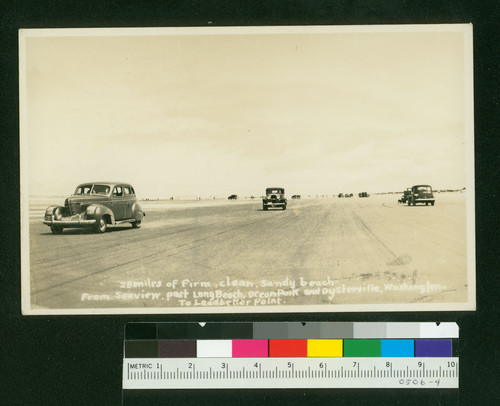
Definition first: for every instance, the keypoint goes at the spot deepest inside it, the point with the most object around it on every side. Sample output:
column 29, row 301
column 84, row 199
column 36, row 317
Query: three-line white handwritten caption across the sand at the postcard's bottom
column 190, row 293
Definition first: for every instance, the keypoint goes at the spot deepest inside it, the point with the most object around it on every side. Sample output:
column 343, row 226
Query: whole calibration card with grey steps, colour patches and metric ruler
column 290, row 355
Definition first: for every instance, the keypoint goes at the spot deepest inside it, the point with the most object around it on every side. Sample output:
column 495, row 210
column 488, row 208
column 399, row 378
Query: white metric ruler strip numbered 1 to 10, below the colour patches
column 287, row 372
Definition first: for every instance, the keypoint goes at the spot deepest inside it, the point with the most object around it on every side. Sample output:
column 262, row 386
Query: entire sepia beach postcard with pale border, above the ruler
column 247, row 169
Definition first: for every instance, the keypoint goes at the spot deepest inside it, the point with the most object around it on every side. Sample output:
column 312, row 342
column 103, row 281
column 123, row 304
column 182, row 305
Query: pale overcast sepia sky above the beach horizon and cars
column 212, row 115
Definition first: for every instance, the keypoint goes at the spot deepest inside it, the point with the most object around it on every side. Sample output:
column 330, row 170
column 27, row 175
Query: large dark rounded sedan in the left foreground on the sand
column 96, row 205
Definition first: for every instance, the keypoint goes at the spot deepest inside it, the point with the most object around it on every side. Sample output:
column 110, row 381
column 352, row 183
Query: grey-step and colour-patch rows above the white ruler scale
column 325, row 339
